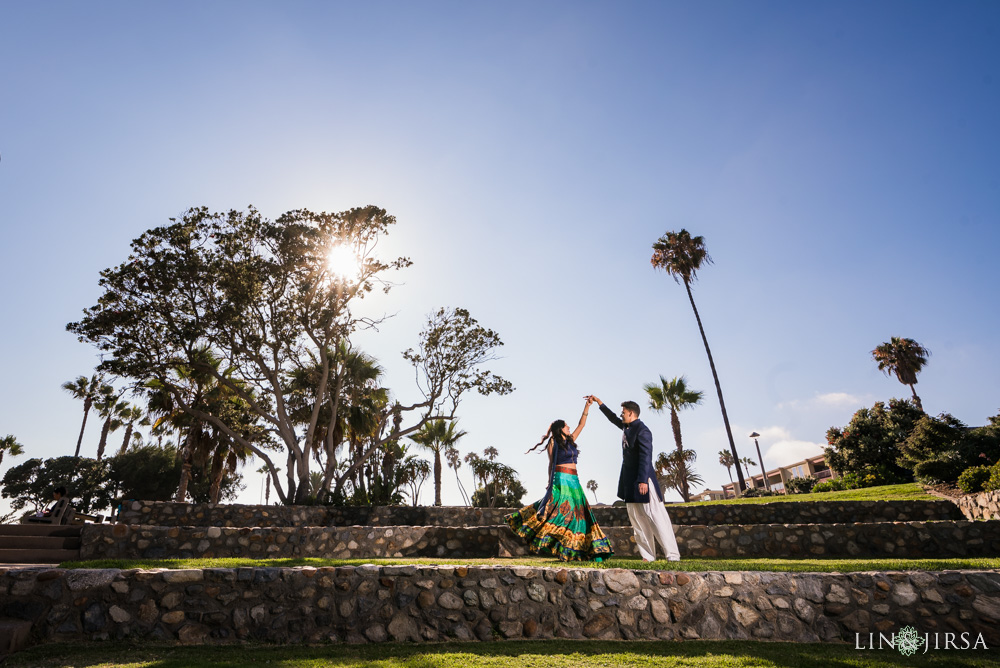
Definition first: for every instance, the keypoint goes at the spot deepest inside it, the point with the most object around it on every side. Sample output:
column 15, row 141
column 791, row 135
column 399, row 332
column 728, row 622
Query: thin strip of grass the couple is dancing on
column 689, row 565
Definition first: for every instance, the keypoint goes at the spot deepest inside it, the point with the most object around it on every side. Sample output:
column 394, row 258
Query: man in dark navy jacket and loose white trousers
column 637, row 485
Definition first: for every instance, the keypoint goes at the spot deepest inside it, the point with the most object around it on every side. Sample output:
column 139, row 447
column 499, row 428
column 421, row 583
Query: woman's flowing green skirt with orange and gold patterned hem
column 562, row 523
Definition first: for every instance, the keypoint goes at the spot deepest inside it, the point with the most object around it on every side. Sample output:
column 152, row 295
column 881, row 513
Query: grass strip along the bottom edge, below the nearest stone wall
column 511, row 654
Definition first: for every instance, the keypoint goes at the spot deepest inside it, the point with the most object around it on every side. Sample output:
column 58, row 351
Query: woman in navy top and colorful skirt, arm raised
column 562, row 522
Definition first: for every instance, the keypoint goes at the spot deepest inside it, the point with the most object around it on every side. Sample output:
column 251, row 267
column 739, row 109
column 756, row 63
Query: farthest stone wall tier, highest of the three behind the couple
column 778, row 512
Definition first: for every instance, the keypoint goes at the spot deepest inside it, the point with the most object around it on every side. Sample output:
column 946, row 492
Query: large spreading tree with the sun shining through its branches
column 268, row 299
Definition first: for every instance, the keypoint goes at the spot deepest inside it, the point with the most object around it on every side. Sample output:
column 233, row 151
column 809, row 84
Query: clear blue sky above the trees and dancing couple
column 840, row 160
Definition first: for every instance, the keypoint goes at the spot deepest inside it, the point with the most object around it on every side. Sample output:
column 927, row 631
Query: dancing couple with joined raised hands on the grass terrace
column 561, row 523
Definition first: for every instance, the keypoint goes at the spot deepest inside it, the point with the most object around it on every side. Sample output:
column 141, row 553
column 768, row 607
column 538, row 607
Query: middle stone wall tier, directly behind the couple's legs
column 898, row 539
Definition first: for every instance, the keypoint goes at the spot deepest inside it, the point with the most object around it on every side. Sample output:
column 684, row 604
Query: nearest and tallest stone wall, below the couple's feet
column 423, row 603
